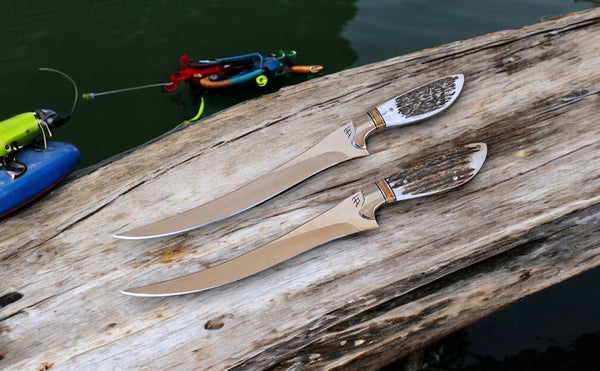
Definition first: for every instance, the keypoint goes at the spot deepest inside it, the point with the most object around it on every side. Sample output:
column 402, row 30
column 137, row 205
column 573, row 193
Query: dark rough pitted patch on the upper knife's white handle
column 426, row 98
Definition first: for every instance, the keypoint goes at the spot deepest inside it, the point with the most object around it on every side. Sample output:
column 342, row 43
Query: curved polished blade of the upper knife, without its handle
column 335, row 148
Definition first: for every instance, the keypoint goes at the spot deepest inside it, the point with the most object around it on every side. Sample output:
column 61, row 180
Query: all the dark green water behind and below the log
column 106, row 45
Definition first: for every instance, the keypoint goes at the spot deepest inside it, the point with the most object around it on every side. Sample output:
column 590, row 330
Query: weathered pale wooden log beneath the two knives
column 528, row 220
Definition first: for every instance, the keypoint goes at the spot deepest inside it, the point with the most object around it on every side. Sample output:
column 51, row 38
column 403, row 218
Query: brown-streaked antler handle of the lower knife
column 443, row 172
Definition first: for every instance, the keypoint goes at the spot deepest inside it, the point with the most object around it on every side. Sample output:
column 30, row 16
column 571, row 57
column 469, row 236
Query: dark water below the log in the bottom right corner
column 555, row 329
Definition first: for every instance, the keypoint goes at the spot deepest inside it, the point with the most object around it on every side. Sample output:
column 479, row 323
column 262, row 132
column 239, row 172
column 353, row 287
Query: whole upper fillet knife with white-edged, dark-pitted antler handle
column 347, row 142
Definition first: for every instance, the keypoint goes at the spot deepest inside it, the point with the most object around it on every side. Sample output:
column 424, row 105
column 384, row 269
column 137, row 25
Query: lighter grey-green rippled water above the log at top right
column 386, row 28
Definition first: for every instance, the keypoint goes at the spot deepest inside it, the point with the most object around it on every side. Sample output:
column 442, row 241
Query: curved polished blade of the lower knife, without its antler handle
column 346, row 218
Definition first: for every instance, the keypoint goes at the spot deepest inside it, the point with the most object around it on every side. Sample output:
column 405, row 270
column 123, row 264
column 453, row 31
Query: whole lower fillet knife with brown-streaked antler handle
column 354, row 214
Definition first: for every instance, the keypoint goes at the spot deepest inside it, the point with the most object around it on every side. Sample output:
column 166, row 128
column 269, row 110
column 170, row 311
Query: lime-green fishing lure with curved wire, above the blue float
column 28, row 128
